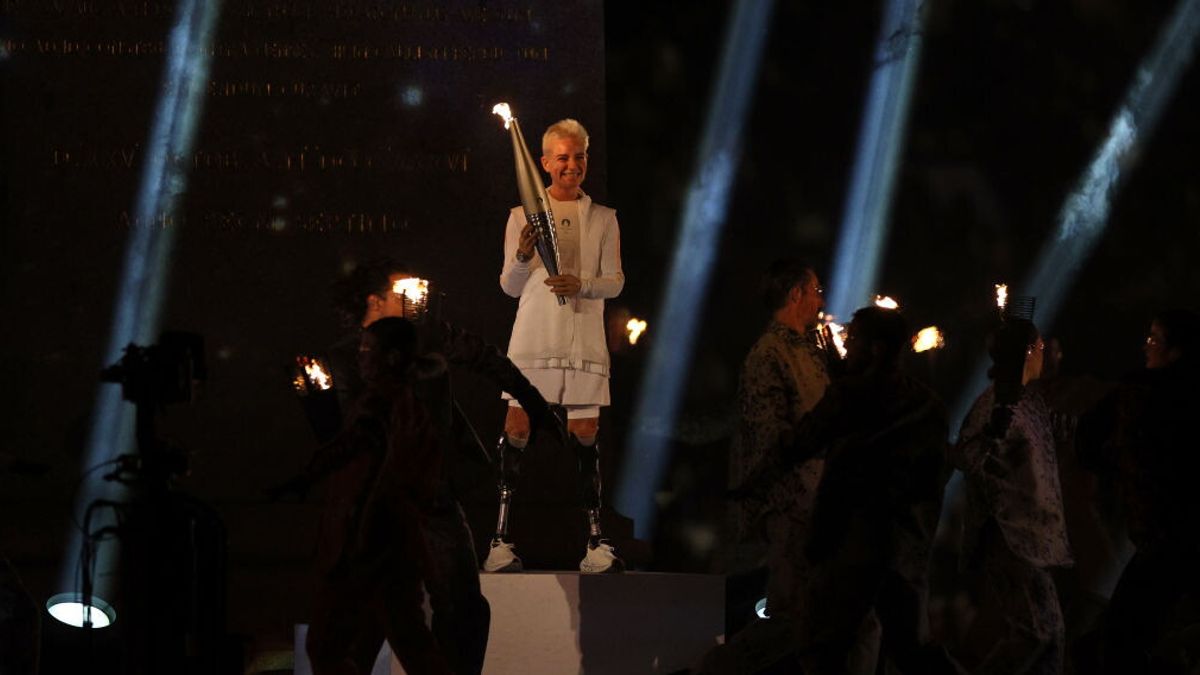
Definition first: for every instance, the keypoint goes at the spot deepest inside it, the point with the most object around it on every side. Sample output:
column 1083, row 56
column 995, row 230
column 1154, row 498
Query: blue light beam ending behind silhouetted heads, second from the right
column 865, row 228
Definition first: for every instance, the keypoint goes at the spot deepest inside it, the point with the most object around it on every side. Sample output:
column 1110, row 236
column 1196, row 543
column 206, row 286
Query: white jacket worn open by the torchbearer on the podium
column 572, row 336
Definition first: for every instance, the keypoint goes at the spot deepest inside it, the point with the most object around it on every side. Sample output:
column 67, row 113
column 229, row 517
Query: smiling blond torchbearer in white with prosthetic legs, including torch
column 559, row 337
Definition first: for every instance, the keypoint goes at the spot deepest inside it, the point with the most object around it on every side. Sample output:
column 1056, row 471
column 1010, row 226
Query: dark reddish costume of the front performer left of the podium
column 386, row 471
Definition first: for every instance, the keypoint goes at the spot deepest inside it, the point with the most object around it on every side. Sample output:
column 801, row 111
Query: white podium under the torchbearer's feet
column 566, row 624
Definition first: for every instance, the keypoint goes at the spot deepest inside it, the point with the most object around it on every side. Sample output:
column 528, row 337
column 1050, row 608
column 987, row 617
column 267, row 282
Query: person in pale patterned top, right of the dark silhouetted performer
column 1016, row 530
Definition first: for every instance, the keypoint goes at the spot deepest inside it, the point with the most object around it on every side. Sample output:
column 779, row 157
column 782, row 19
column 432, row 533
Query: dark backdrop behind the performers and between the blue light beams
column 1012, row 99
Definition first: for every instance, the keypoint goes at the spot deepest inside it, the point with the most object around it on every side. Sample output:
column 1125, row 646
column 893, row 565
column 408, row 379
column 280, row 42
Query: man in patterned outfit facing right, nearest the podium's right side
column 783, row 378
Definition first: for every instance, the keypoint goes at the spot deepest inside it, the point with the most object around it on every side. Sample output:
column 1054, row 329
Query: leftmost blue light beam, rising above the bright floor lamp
column 143, row 282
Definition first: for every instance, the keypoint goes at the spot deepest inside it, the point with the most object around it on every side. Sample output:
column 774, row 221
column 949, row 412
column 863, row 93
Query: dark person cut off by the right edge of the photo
column 1157, row 467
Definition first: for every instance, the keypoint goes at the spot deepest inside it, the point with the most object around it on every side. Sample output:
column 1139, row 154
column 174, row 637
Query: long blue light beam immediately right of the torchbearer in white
column 705, row 212
